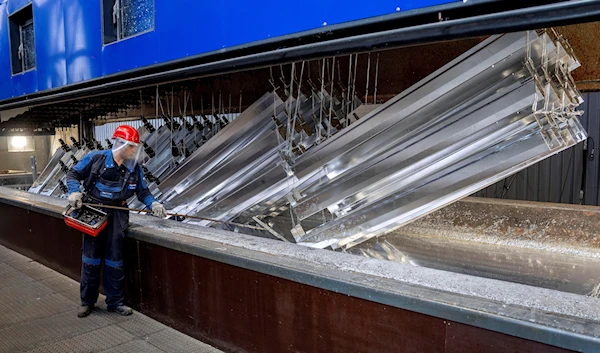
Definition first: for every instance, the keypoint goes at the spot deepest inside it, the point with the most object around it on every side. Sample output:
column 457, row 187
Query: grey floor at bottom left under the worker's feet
column 38, row 313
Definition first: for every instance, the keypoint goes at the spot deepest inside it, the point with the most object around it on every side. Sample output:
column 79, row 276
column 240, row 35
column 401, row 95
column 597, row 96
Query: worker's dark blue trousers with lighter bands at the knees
column 104, row 251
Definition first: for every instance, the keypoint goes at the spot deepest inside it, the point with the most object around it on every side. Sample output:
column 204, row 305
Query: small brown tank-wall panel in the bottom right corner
column 463, row 338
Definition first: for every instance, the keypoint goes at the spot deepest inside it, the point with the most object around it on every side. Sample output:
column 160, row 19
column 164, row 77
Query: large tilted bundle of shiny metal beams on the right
column 504, row 105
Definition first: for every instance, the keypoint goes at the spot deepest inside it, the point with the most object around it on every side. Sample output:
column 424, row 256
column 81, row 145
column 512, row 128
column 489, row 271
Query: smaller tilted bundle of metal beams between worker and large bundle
column 247, row 163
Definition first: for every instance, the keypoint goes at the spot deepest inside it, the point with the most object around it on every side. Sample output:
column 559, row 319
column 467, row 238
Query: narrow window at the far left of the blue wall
column 22, row 43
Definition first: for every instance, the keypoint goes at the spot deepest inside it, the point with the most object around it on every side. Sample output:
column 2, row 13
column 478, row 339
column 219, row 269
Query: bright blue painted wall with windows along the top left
column 68, row 34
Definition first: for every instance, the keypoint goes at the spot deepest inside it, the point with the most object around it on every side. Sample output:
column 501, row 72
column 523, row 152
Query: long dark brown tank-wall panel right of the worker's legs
column 261, row 313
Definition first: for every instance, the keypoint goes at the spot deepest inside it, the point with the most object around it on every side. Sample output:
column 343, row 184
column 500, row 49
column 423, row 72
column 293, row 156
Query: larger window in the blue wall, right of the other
column 126, row 18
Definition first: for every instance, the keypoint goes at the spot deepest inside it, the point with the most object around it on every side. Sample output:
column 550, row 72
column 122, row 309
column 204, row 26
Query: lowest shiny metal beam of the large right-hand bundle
column 427, row 193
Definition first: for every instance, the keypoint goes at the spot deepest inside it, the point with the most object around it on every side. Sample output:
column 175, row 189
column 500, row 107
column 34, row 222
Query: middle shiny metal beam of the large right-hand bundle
column 491, row 121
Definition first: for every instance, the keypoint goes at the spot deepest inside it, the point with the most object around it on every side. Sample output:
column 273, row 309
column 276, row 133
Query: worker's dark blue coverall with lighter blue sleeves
column 106, row 183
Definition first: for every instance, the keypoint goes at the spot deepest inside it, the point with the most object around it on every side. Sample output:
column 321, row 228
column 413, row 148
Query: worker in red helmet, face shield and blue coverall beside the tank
column 110, row 177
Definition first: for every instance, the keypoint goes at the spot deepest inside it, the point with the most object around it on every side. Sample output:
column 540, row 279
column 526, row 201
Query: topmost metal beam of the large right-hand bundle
column 404, row 104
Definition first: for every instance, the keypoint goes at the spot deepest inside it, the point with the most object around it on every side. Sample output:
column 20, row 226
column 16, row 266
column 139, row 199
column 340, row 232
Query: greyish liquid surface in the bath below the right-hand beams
column 539, row 268
